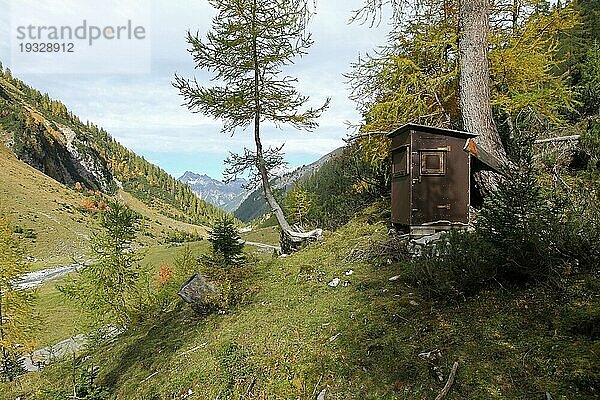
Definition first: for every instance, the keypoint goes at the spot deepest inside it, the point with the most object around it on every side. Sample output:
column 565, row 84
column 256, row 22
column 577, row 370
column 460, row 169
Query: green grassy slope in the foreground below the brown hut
column 299, row 335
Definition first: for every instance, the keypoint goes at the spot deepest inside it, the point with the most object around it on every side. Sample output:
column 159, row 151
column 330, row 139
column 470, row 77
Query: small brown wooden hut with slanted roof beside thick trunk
column 431, row 178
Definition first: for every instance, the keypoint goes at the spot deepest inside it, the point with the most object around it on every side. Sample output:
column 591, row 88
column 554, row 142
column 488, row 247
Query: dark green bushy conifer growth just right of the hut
column 522, row 234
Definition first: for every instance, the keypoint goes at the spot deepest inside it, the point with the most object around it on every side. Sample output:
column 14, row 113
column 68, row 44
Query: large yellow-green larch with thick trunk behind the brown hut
column 464, row 64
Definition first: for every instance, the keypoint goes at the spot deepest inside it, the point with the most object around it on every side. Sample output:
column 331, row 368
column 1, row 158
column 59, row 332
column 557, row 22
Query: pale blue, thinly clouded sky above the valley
column 144, row 112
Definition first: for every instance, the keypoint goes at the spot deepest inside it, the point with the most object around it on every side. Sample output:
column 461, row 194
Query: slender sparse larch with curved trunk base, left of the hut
column 251, row 41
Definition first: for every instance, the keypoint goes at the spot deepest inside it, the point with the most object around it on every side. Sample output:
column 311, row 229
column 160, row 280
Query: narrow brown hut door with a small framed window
column 431, row 202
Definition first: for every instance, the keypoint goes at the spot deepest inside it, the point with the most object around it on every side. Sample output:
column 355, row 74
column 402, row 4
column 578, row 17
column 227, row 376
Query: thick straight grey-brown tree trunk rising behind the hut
column 474, row 85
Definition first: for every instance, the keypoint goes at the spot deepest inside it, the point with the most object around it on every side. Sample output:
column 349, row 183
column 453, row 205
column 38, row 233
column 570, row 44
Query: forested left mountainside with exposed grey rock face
column 44, row 134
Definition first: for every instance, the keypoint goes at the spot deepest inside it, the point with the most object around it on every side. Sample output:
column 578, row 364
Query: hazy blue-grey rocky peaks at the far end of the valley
column 226, row 196
